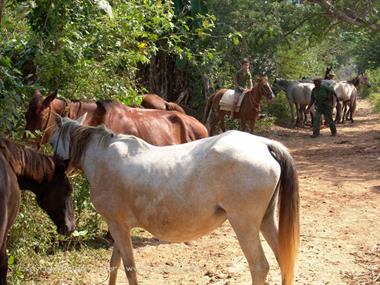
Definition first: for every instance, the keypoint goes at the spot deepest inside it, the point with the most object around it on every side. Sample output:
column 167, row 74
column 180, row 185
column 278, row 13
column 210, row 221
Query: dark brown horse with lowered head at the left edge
column 24, row 168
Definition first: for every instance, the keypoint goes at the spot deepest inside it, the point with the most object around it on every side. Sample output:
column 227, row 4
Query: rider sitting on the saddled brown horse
column 243, row 83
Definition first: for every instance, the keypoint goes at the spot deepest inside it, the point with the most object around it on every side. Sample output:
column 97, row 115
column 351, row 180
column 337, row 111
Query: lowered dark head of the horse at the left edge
column 54, row 197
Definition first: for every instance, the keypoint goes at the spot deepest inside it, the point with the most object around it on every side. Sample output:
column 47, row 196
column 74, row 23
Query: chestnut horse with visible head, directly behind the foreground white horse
column 157, row 127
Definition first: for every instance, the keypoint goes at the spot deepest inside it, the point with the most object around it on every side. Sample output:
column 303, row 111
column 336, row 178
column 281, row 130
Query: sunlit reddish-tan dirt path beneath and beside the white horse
column 340, row 218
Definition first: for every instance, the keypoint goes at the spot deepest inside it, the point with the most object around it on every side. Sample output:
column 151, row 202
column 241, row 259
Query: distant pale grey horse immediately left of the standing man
column 298, row 95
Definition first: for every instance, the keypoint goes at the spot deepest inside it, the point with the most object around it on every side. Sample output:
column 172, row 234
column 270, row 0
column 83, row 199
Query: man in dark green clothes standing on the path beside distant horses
column 322, row 96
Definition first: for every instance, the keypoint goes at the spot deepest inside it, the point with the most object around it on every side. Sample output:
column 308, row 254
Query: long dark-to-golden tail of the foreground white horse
column 289, row 225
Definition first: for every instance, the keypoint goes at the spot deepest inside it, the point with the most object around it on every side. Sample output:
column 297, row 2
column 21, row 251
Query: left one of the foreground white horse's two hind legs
column 248, row 235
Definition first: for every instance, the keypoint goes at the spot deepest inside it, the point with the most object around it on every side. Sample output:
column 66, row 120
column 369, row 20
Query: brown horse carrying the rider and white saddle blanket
column 249, row 110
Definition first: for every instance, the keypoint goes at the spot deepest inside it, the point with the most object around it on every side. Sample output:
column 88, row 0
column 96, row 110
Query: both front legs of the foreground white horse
column 123, row 245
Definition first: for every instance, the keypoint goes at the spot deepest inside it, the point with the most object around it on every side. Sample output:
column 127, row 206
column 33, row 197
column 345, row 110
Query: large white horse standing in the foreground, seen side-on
column 181, row 192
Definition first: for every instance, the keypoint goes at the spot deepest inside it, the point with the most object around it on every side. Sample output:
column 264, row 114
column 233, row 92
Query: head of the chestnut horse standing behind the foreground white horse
column 39, row 115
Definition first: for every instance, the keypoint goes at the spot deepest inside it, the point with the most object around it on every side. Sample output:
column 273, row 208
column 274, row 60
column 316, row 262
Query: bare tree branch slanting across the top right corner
column 349, row 16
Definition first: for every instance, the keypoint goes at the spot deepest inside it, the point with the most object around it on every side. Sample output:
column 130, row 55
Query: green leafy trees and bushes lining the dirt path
column 181, row 50
